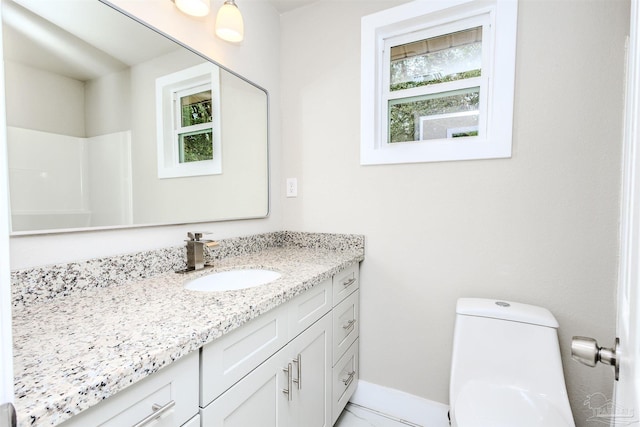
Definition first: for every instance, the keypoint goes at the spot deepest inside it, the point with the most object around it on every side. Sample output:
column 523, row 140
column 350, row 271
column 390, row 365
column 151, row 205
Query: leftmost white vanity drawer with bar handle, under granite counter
column 172, row 390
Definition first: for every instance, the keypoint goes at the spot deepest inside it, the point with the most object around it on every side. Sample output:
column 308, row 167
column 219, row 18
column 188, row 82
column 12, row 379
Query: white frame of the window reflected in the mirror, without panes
column 169, row 89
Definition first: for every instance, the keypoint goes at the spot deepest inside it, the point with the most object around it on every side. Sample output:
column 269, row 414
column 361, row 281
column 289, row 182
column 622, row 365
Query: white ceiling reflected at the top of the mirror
column 78, row 51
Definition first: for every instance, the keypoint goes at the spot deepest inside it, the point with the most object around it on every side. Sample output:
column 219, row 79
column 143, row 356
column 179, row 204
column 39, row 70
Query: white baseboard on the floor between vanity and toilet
column 401, row 405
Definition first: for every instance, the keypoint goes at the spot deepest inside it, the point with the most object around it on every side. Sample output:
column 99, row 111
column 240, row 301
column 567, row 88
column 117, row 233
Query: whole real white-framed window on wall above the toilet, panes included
column 437, row 82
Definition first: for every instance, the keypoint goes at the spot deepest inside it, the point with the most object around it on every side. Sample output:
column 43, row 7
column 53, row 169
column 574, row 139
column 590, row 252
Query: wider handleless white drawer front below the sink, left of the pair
column 226, row 360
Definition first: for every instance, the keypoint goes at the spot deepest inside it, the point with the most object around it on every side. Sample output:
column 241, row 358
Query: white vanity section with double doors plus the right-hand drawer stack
column 305, row 384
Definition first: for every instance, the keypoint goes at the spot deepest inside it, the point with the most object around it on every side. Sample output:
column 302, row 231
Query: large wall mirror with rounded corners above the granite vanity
column 113, row 124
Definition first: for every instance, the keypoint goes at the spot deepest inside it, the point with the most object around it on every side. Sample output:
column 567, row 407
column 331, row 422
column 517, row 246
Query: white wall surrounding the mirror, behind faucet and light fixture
column 256, row 58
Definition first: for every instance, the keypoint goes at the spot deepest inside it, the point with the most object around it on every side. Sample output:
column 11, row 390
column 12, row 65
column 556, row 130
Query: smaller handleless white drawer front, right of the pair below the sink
column 308, row 307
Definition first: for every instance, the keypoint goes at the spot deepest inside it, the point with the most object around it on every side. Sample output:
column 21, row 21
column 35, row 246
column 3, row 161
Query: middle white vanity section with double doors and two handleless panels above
column 290, row 387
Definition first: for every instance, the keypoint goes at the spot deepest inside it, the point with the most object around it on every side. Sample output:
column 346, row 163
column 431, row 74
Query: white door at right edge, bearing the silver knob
column 626, row 407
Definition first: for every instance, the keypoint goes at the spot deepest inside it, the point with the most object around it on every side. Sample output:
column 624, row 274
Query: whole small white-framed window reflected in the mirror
column 188, row 122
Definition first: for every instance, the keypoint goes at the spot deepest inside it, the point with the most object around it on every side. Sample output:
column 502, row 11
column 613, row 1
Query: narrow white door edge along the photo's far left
column 6, row 352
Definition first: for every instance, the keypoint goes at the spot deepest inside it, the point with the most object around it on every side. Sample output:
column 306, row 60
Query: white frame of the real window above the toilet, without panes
column 425, row 19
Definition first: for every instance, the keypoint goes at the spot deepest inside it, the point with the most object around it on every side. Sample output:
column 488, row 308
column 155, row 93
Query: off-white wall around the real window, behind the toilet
column 540, row 228
